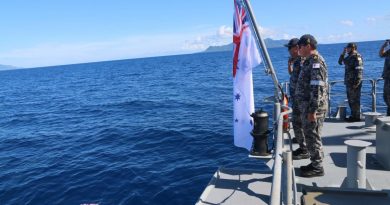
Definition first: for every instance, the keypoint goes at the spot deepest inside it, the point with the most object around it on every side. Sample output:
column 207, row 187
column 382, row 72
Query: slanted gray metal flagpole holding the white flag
column 260, row 41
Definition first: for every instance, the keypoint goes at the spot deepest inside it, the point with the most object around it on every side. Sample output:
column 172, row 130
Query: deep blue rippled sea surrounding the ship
column 140, row 131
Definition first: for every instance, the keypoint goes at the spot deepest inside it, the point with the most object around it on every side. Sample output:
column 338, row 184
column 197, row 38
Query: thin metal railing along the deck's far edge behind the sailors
column 373, row 92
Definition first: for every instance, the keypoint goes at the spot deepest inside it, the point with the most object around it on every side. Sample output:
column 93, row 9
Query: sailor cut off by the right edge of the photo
column 384, row 52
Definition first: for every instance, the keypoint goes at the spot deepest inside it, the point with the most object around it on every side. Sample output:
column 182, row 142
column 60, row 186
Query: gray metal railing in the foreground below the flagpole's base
column 282, row 164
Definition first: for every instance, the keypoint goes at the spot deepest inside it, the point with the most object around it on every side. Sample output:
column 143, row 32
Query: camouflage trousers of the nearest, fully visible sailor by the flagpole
column 312, row 132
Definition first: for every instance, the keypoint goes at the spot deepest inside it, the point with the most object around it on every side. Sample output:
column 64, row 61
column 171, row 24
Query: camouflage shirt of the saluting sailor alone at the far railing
column 353, row 68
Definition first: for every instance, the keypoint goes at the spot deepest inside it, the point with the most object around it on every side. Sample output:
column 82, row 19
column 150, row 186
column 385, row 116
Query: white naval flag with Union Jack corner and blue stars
column 245, row 57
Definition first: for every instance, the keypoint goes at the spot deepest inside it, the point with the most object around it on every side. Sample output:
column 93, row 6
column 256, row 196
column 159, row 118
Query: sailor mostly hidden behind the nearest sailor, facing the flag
column 294, row 67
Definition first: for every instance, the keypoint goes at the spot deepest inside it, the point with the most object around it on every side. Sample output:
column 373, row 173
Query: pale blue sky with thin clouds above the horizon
column 46, row 32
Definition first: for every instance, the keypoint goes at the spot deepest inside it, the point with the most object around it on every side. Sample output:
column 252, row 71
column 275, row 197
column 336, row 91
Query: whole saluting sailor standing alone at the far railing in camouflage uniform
column 353, row 79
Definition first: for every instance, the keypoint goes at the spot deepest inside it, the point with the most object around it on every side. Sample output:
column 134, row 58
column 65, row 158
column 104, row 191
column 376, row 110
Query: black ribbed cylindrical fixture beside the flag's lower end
column 260, row 134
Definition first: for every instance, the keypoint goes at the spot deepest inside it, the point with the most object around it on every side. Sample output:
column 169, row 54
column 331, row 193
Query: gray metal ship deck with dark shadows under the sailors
column 253, row 187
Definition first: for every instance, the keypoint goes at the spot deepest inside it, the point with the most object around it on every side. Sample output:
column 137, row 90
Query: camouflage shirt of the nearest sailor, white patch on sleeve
column 312, row 87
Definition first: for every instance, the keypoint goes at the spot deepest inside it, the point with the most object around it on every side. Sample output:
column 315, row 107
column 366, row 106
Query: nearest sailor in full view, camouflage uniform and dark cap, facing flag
column 312, row 94
